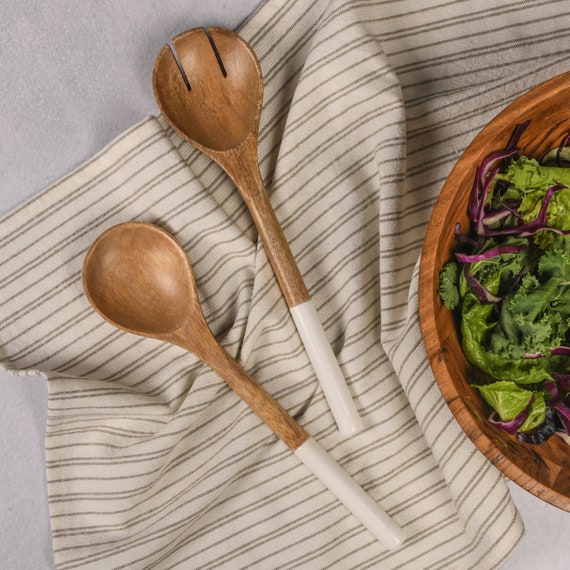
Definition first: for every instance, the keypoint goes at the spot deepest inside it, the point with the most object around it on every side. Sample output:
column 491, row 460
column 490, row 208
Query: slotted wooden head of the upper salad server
column 224, row 108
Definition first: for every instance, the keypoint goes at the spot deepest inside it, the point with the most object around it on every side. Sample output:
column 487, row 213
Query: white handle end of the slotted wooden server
column 326, row 368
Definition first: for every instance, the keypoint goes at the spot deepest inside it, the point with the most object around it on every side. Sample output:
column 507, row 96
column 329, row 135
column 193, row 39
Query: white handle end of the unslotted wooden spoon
column 360, row 503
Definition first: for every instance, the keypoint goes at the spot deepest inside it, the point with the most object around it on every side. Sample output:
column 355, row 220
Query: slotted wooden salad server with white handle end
column 209, row 87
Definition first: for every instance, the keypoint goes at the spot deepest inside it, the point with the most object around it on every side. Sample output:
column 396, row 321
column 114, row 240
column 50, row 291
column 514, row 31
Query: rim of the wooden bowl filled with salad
column 429, row 303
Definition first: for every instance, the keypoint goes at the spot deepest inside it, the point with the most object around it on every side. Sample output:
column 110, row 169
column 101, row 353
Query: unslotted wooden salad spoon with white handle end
column 139, row 278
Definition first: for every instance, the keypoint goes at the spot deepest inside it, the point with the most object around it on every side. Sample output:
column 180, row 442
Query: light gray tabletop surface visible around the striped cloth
column 73, row 76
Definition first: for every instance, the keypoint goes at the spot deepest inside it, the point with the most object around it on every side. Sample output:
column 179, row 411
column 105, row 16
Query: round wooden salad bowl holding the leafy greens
column 543, row 470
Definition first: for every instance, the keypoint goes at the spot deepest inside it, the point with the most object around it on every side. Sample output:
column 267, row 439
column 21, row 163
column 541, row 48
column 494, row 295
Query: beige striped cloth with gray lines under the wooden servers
column 152, row 462
